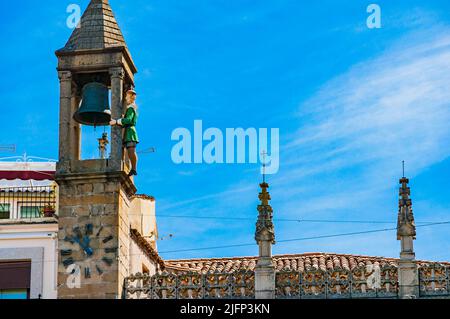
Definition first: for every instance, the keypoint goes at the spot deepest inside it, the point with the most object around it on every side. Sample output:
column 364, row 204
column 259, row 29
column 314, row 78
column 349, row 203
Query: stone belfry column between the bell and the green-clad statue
column 117, row 77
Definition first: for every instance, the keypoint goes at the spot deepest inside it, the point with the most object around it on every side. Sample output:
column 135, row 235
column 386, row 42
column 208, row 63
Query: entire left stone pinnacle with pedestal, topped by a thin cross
column 265, row 237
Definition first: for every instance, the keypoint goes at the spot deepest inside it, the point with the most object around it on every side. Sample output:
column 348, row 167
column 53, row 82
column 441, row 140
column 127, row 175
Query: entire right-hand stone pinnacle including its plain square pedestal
column 408, row 274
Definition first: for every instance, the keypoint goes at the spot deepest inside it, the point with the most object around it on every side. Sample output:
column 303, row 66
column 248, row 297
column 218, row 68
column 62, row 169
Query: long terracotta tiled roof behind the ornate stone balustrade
column 298, row 262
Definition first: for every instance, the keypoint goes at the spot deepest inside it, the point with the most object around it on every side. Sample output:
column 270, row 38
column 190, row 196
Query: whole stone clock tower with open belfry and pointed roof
column 94, row 195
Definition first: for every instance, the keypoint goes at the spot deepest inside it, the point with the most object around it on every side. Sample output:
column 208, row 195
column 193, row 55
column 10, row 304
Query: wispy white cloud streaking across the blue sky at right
column 380, row 112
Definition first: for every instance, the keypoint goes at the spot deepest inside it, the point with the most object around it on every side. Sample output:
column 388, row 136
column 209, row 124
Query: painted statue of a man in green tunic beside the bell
column 128, row 122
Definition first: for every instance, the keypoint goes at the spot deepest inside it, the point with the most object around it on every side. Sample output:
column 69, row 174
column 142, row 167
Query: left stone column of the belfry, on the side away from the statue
column 65, row 116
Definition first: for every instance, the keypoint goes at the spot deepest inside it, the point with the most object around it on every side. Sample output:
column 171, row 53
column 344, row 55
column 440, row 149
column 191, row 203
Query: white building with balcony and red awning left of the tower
column 28, row 230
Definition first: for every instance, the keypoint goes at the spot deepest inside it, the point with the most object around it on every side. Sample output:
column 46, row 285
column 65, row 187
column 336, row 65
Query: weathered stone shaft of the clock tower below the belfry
column 92, row 205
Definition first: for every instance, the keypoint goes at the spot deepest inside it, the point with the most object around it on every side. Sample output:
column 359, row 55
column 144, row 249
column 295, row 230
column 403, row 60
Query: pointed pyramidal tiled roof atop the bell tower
column 98, row 29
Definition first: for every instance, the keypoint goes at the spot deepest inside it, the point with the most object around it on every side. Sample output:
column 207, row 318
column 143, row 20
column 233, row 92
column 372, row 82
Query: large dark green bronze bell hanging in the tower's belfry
column 94, row 108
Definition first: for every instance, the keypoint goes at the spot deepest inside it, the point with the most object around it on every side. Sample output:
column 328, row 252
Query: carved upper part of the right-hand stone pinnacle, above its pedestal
column 405, row 222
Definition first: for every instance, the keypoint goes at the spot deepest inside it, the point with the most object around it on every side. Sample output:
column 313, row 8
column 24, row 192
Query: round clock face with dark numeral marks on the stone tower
column 80, row 239
